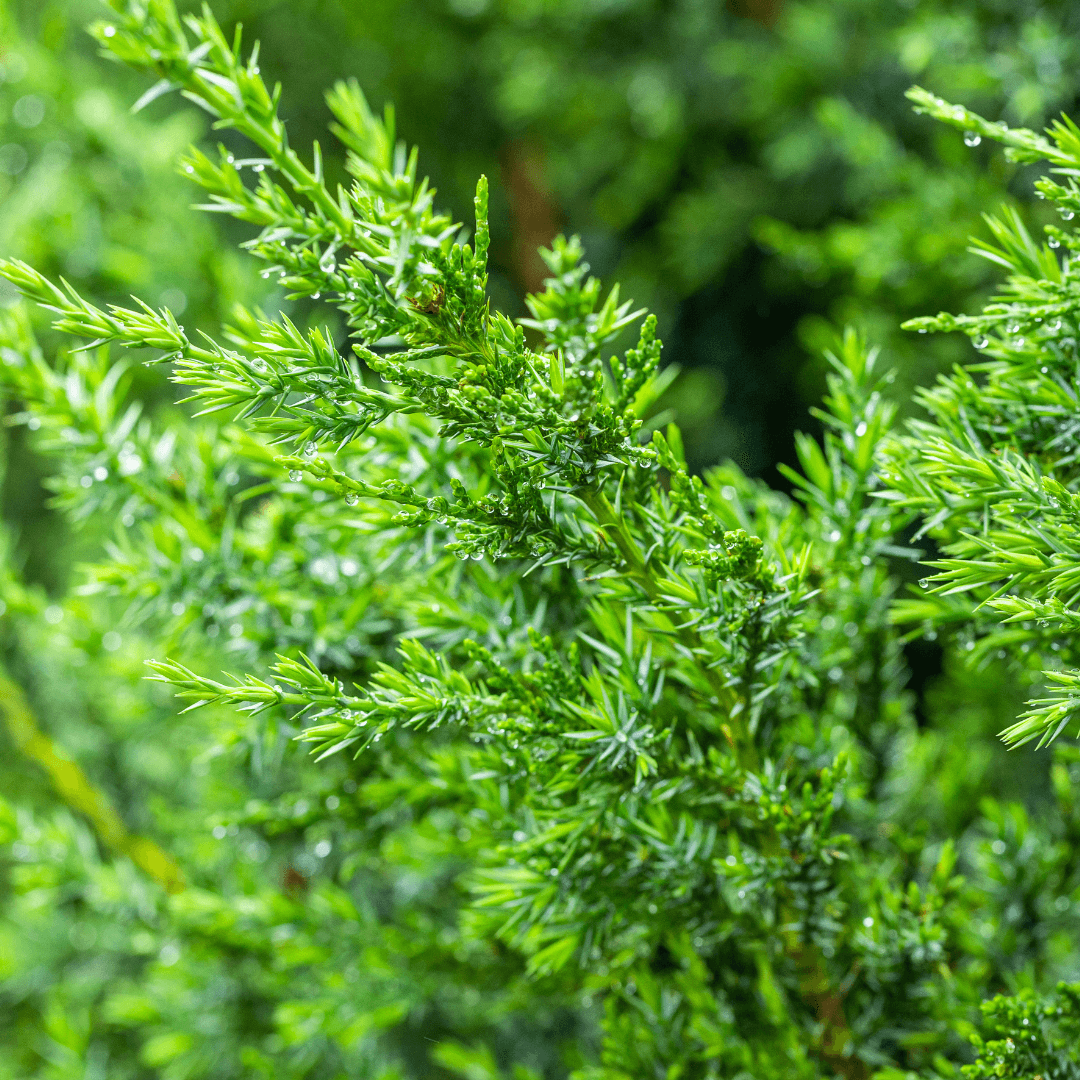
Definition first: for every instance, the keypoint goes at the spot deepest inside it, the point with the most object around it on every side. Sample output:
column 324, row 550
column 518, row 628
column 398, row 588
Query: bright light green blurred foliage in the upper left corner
column 91, row 192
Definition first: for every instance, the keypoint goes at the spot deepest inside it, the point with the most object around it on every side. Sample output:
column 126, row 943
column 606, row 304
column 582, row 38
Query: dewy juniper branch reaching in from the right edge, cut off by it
column 994, row 471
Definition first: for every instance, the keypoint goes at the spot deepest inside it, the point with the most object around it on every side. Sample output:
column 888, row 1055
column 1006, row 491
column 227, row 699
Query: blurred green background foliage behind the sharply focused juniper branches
column 752, row 172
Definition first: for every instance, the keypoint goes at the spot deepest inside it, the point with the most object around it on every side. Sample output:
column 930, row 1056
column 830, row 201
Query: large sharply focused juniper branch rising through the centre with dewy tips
column 642, row 738
